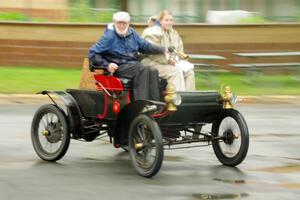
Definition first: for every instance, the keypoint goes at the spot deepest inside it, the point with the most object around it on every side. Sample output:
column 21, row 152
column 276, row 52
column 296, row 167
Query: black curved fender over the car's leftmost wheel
column 73, row 112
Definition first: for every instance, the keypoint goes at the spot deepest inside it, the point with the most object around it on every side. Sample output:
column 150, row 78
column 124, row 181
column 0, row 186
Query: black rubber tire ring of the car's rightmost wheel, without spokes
column 240, row 156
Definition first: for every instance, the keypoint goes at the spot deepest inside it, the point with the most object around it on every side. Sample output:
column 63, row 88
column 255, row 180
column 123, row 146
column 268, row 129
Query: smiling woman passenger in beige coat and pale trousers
column 163, row 34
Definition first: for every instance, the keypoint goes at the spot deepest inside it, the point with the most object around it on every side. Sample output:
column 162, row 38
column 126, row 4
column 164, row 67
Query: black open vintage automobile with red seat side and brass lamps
column 144, row 128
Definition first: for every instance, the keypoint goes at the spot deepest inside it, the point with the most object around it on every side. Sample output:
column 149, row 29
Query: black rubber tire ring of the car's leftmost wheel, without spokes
column 50, row 108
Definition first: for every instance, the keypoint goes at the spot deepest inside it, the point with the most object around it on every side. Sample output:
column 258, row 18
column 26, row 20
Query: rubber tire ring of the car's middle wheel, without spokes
column 151, row 123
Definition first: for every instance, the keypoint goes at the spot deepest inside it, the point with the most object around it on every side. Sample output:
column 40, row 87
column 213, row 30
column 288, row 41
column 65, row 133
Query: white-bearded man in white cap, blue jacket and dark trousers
column 117, row 50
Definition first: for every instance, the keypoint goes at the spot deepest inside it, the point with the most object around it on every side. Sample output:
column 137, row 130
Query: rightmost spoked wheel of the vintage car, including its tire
column 232, row 146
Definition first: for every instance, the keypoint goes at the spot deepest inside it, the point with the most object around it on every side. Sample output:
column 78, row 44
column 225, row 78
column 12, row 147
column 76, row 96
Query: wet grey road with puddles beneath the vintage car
column 98, row 171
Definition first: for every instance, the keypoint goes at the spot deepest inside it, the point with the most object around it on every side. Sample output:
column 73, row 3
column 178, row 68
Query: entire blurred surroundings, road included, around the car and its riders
column 251, row 45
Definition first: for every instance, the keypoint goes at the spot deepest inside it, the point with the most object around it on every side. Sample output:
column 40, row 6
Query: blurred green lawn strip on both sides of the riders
column 28, row 80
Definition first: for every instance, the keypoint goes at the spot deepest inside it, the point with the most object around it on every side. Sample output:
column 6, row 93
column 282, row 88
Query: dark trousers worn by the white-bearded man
column 145, row 80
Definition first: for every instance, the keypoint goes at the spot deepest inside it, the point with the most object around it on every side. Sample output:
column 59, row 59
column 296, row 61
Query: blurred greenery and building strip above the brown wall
column 191, row 11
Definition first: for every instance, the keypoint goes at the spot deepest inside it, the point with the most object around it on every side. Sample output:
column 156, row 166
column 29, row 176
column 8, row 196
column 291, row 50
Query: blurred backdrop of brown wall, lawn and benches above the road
column 46, row 40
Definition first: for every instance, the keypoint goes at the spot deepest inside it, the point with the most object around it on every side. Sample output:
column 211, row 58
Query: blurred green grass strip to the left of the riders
column 26, row 79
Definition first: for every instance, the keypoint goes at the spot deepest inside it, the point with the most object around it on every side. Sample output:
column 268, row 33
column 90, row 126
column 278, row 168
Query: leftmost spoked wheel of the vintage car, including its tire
column 50, row 133
